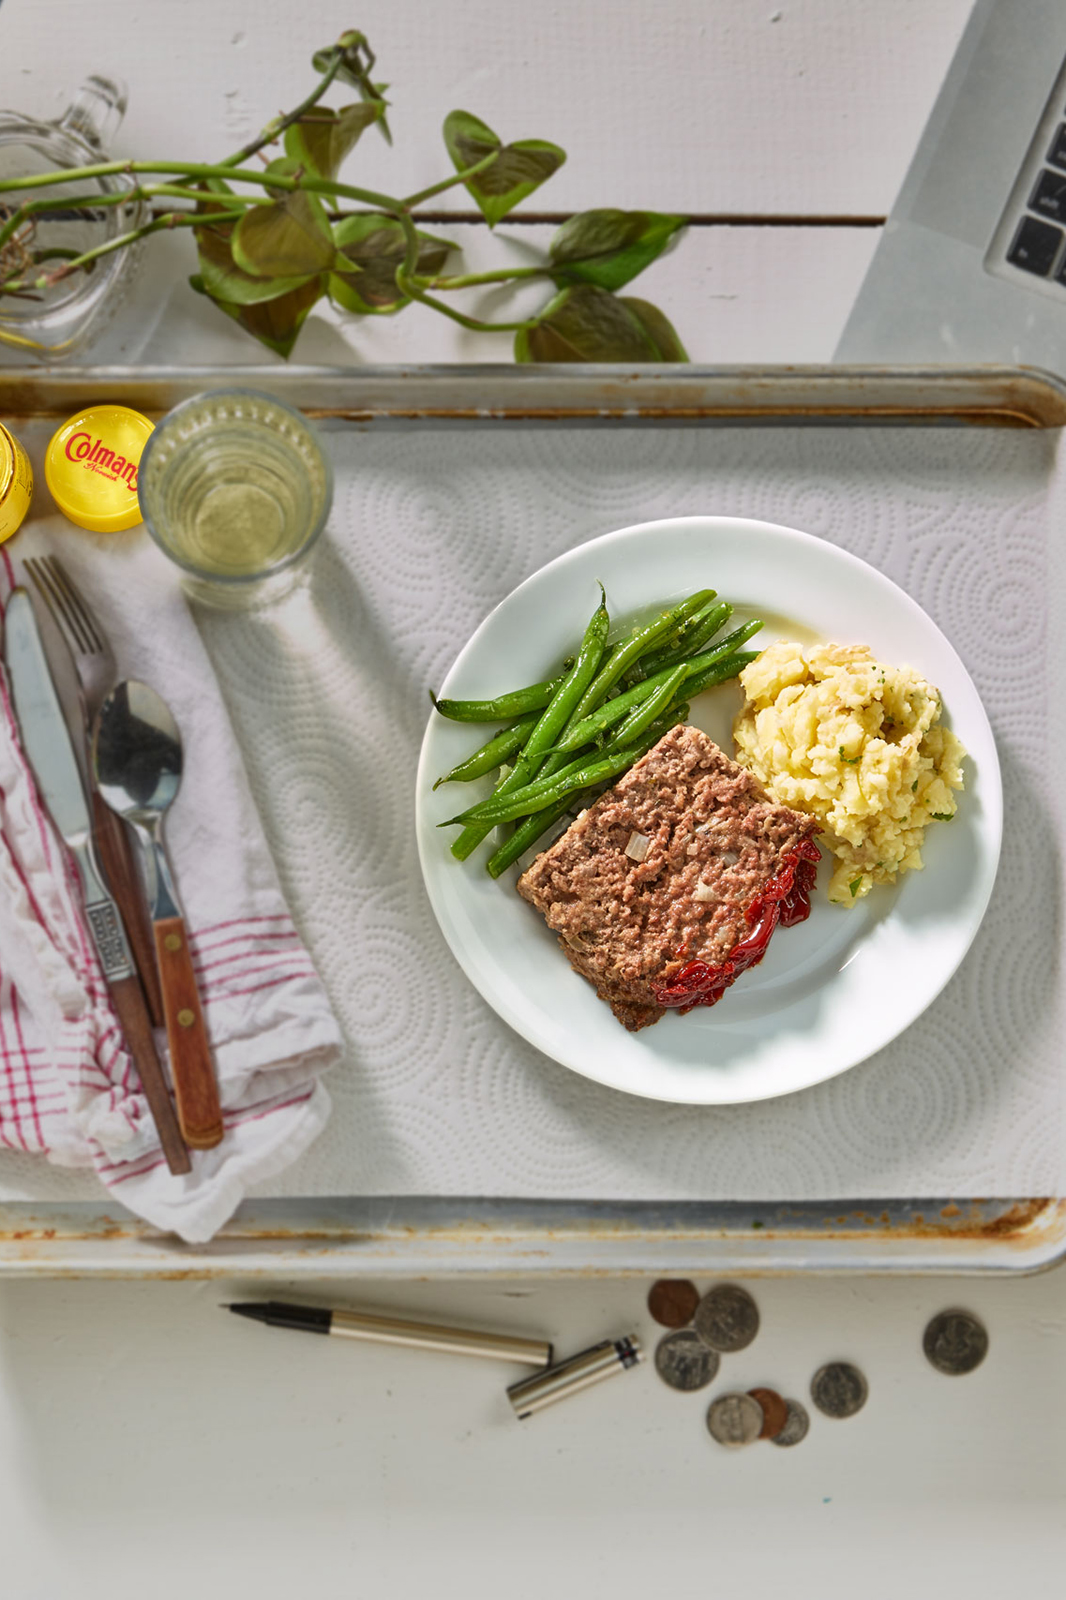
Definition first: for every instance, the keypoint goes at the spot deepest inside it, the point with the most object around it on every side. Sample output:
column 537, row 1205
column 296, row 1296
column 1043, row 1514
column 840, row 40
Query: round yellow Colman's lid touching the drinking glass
column 92, row 468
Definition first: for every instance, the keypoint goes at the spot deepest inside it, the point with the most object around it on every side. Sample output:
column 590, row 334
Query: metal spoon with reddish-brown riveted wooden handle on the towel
column 137, row 764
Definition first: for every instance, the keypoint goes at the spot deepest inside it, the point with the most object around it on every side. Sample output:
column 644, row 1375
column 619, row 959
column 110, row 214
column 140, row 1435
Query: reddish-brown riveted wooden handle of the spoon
column 191, row 1066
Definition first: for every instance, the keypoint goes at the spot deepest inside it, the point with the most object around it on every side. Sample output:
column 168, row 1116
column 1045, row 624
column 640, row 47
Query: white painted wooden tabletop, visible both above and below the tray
column 151, row 1442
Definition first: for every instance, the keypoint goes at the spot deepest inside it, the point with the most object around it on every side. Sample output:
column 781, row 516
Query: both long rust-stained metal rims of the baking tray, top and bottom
column 404, row 1236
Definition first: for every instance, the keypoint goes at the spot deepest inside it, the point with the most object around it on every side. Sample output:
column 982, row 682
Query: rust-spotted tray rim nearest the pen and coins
column 435, row 1238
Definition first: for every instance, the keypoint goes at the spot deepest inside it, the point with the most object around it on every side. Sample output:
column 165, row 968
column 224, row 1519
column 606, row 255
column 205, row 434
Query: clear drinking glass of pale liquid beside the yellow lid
column 236, row 489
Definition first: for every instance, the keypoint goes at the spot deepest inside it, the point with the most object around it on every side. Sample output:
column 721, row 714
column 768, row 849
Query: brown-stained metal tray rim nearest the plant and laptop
column 703, row 396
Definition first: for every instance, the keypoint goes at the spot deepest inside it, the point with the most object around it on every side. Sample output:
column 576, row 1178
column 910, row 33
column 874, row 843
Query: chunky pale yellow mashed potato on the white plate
column 856, row 743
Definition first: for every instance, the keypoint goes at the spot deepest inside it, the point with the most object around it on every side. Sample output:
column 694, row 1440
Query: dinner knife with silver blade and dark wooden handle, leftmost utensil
column 50, row 754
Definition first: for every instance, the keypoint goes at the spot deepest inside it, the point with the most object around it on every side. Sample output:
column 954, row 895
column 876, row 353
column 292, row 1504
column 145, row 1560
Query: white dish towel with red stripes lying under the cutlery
column 68, row 1089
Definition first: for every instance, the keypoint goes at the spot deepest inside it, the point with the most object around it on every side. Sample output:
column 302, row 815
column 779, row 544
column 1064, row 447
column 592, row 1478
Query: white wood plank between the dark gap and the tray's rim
column 734, row 295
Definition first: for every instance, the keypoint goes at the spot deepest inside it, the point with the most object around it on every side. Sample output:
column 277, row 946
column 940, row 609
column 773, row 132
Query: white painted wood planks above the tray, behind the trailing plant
column 806, row 110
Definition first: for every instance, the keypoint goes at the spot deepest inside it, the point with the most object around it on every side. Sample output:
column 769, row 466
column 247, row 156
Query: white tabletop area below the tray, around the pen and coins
column 156, row 1446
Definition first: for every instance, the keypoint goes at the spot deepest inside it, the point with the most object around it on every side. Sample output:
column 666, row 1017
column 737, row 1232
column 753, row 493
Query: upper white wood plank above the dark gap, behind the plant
column 772, row 106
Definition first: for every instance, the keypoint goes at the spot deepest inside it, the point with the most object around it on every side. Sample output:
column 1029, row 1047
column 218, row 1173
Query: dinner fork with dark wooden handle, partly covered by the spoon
column 97, row 674
